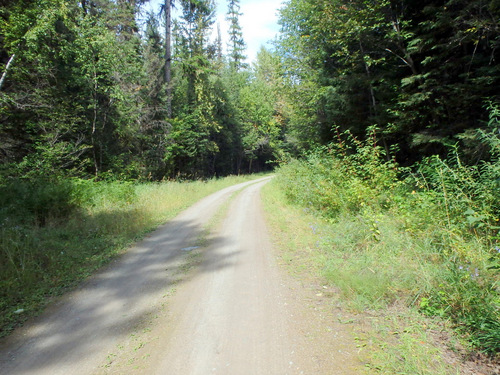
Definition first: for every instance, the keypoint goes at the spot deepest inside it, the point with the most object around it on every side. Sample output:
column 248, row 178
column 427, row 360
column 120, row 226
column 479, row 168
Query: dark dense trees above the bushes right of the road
column 425, row 72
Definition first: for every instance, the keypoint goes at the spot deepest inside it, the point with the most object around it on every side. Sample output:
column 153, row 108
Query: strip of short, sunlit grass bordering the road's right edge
column 388, row 338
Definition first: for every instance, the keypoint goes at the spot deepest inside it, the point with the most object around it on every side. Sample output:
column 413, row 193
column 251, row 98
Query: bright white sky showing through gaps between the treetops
column 259, row 22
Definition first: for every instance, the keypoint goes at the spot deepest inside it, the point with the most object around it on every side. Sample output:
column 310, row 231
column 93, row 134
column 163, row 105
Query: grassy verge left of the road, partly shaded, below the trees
column 55, row 234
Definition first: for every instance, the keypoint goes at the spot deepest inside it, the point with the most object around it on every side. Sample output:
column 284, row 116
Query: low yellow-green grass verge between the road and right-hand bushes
column 393, row 339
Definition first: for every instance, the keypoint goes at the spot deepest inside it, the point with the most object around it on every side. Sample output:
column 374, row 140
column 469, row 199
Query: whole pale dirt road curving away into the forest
column 183, row 301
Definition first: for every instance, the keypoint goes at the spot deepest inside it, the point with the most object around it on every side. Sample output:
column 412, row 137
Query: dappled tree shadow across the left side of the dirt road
column 117, row 300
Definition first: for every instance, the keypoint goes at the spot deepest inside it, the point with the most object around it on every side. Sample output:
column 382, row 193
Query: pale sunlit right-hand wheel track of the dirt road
column 231, row 317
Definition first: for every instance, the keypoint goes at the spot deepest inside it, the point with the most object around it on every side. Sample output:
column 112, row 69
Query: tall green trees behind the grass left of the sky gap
column 84, row 93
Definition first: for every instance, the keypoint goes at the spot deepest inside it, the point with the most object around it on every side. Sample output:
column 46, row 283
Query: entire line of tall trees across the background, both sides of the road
column 86, row 91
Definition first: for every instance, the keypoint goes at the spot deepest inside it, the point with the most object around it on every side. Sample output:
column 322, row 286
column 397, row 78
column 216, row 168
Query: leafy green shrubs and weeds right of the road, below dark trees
column 427, row 237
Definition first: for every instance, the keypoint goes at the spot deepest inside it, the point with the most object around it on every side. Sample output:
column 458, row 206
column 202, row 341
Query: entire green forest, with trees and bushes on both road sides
column 401, row 96
